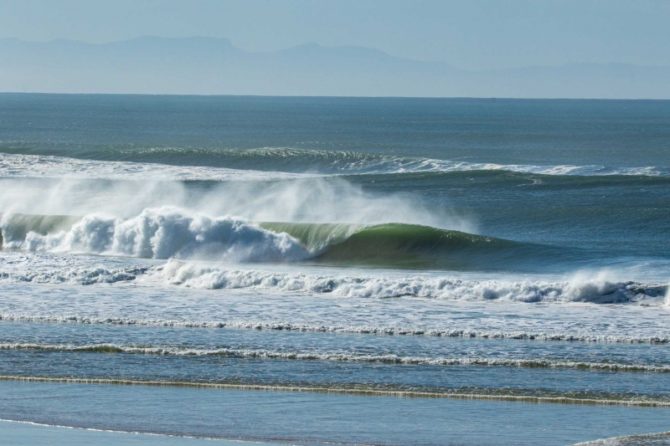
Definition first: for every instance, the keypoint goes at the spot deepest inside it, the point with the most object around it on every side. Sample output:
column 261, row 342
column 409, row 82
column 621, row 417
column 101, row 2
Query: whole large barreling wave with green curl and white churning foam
column 163, row 233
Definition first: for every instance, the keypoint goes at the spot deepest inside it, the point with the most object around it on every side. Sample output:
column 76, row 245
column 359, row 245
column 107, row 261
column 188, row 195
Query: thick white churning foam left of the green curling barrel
column 164, row 233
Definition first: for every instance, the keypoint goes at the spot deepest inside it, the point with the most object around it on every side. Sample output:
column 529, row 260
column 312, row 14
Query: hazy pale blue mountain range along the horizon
column 201, row 65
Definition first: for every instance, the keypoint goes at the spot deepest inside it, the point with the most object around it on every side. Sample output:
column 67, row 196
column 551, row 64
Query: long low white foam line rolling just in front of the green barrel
column 598, row 290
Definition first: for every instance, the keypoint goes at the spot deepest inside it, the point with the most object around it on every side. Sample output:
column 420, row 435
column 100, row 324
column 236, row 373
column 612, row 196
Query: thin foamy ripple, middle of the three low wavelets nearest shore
column 239, row 353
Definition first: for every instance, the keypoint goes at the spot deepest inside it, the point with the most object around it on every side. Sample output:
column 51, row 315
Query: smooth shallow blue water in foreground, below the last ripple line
column 318, row 418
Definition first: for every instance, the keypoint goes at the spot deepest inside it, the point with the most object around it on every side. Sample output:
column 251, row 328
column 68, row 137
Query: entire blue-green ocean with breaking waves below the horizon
column 336, row 270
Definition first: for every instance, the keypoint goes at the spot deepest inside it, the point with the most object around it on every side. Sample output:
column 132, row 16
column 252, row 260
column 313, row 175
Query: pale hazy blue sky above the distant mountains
column 465, row 33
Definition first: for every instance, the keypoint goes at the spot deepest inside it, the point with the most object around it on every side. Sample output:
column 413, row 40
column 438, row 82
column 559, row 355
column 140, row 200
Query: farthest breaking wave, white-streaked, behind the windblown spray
column 274, row 163
